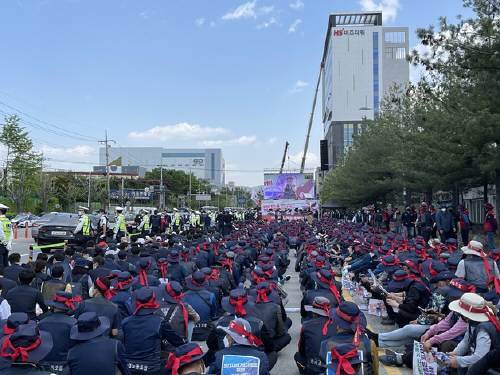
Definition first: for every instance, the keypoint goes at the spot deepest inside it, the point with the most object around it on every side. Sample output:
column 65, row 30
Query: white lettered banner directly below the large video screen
column 289, row 209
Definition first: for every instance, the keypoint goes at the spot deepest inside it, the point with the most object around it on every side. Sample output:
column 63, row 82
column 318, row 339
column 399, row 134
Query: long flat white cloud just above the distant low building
column 181, row 130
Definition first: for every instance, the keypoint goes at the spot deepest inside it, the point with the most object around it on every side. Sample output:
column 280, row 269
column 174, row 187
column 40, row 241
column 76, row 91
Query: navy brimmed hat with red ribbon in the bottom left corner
column 27, row 344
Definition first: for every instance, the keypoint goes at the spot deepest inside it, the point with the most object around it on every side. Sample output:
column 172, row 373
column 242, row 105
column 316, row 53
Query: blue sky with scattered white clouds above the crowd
column 232, row 74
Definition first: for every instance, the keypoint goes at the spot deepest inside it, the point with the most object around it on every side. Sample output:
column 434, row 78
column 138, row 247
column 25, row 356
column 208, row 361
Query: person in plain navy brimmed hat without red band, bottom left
column 94, row 352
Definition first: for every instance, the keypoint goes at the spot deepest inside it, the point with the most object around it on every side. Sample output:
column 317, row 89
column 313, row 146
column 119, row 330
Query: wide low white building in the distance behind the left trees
column 206, row 164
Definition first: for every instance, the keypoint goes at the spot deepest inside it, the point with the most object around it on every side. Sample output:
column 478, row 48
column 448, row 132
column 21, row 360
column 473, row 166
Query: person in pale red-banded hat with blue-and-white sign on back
column 242, row 345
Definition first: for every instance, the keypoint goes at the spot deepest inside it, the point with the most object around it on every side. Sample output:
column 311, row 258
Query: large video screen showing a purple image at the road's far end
column 297, row 186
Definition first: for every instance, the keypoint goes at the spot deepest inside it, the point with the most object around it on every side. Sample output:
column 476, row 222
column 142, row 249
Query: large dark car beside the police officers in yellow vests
column 57, row 227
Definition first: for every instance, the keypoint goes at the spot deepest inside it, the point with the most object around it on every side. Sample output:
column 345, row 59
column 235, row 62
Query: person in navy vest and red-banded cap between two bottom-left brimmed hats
column 59, row 323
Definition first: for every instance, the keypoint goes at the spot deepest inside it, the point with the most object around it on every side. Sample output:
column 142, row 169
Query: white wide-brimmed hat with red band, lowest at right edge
column 474, row 307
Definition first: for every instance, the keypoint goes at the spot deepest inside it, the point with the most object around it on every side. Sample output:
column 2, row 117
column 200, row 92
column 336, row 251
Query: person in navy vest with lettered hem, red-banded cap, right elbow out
column 143, row 333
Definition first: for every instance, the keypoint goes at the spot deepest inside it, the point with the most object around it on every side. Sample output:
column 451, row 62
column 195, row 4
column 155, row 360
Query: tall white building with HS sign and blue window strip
column 362, row 60
